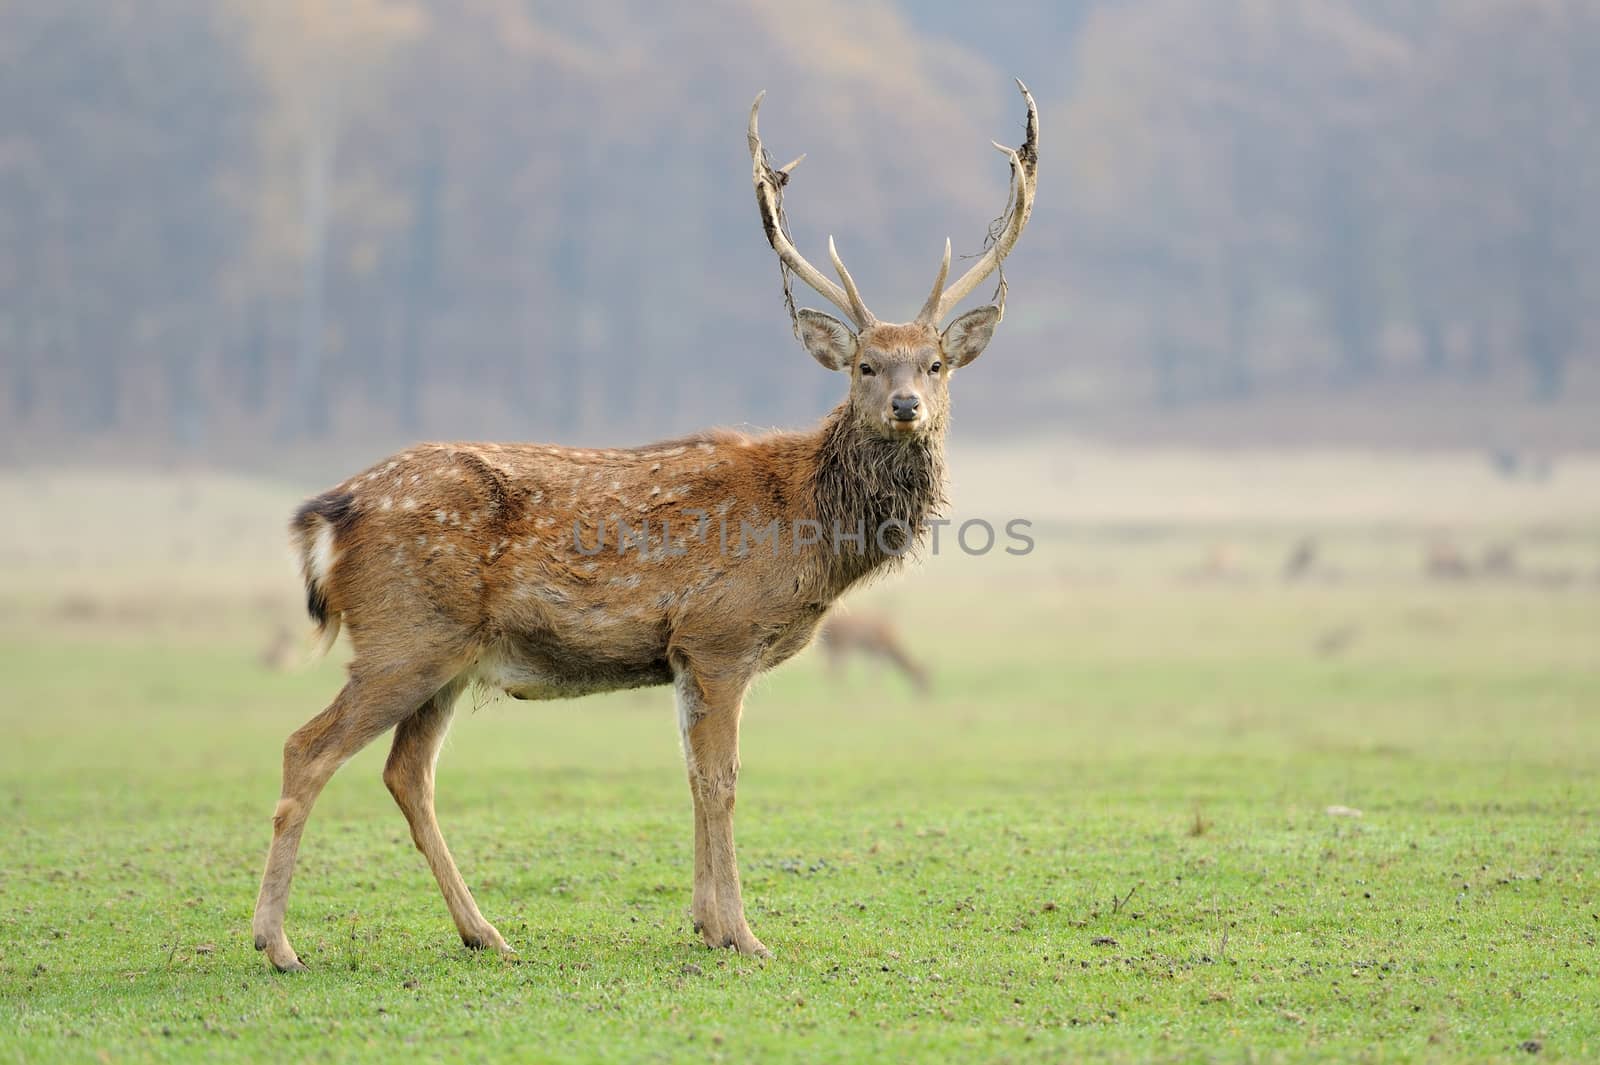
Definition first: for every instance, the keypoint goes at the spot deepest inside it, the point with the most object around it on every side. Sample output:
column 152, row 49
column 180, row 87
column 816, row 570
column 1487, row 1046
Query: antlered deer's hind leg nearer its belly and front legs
column 410, row 780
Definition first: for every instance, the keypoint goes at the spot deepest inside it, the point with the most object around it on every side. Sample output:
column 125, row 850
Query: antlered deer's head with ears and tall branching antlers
column 900, row 373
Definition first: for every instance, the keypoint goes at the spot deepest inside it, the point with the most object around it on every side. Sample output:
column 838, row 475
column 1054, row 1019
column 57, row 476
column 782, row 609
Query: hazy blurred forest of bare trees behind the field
column 231, row 228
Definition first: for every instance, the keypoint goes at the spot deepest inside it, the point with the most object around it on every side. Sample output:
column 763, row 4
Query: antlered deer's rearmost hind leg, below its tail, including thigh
column 372, row 703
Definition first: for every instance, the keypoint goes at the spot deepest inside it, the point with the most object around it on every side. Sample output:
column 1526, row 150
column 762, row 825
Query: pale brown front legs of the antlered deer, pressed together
column 710, row 717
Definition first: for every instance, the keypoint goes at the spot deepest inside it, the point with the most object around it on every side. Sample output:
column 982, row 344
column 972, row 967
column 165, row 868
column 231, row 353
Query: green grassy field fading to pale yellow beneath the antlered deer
column 1105, row 837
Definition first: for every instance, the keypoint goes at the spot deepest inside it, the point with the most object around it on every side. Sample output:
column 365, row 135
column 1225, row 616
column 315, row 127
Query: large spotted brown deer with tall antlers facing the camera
column 489, row 564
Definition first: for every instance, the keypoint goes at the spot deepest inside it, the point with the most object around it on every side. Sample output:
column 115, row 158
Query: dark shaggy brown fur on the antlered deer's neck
column 866, row 482
